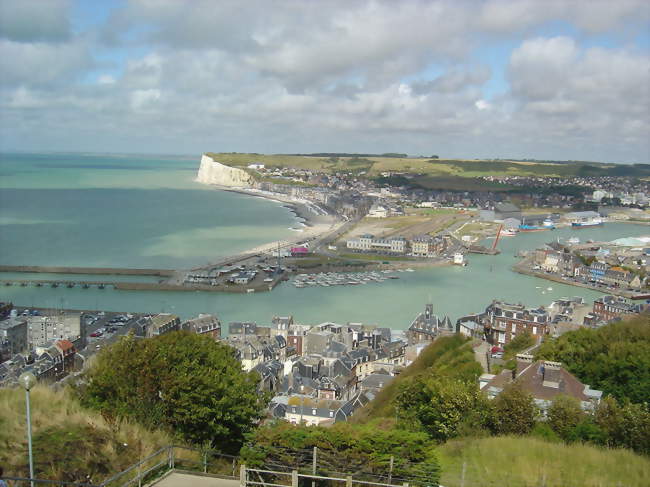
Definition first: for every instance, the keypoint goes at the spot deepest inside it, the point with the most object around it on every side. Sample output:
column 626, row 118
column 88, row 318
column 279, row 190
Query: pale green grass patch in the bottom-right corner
column 532, row 462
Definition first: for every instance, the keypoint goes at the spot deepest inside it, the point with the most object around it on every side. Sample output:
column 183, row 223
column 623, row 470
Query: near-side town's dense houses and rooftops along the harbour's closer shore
column 315, row 373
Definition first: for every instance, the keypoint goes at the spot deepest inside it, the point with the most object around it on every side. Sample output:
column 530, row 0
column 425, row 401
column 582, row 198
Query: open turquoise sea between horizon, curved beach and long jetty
column 124, row 211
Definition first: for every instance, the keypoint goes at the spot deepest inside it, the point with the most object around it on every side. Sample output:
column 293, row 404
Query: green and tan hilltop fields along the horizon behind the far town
column 445, row 168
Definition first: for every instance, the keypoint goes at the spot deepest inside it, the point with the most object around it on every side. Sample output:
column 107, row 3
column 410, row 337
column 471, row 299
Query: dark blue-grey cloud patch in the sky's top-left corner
column 34, row 20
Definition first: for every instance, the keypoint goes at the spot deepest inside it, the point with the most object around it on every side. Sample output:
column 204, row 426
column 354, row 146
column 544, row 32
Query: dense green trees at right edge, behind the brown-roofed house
column 614, row 358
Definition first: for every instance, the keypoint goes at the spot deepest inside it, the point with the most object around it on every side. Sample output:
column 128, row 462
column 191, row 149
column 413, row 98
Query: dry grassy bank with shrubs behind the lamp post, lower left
column 70, row 442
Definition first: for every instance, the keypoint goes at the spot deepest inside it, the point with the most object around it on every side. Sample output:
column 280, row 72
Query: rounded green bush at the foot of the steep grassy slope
column 439, row 405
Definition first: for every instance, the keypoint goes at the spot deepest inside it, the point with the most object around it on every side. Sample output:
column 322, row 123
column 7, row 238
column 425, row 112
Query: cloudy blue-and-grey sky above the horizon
column 550, row 79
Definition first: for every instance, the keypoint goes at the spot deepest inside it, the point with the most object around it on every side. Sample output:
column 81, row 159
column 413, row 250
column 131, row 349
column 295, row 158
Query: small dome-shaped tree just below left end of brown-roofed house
column 514, row 411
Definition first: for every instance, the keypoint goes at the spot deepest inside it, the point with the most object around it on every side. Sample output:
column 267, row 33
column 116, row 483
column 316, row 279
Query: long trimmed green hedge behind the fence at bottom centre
column 365, row 450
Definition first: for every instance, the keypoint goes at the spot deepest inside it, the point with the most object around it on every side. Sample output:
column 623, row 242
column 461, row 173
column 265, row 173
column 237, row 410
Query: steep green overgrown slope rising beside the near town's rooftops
column 449, row 356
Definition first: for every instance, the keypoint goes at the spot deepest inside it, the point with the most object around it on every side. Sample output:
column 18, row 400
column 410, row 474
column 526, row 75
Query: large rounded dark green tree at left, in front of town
column 185, row 382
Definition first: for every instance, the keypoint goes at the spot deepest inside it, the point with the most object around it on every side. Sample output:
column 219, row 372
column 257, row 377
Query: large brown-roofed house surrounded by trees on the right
column 544, row 380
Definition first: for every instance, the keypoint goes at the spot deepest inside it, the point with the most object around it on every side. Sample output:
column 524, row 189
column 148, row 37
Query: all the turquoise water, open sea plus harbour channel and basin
column 146, row 211
